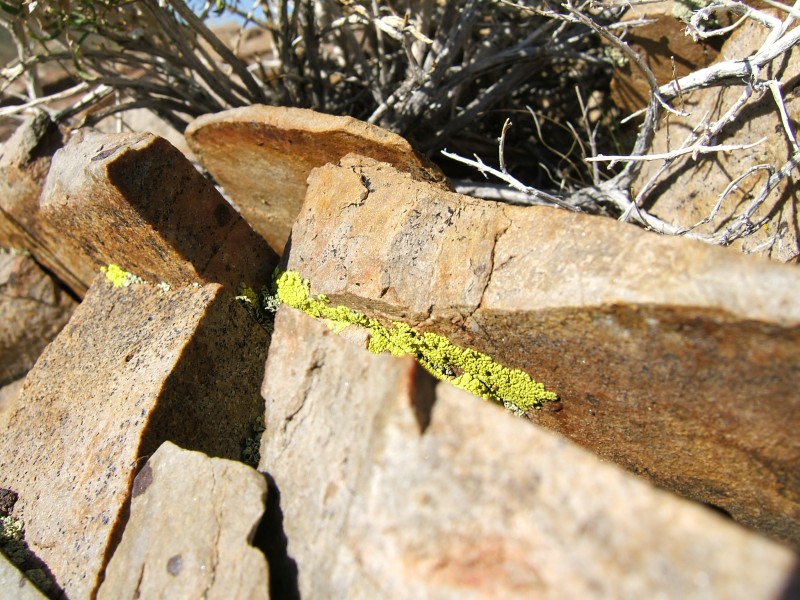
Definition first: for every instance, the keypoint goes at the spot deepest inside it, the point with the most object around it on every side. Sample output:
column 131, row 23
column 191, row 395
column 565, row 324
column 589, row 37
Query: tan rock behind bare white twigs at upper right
column 691, row 189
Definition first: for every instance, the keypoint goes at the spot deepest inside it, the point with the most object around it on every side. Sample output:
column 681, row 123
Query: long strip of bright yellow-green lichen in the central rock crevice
column 463, row 367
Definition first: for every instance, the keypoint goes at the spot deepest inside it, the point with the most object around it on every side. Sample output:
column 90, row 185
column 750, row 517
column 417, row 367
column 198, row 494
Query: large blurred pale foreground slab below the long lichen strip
column 394, row 486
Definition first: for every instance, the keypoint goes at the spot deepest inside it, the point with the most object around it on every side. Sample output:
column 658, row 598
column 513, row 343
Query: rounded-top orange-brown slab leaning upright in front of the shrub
column 262, row 155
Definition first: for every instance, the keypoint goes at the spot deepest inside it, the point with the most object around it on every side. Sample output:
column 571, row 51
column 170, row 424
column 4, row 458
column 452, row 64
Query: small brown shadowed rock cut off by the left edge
column 33, row 309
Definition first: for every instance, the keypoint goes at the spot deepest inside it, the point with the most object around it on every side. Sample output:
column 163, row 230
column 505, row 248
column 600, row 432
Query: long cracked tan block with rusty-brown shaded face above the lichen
column 675, row 359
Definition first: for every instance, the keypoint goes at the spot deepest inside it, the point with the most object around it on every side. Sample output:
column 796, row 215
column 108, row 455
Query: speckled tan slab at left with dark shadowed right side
column 133, row 367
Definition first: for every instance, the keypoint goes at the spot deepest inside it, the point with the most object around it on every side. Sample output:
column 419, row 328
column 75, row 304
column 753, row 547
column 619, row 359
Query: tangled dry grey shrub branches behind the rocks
column 444, row 74
